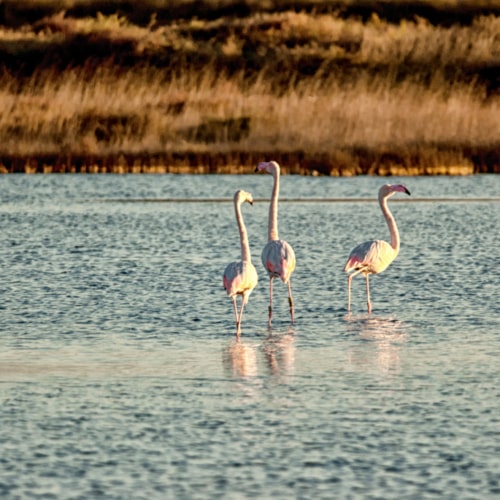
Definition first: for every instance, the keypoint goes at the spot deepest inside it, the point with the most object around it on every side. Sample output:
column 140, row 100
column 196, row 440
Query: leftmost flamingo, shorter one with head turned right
column 240, row 277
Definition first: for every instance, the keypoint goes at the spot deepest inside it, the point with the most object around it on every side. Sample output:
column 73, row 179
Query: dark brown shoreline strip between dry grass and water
column 380, row 163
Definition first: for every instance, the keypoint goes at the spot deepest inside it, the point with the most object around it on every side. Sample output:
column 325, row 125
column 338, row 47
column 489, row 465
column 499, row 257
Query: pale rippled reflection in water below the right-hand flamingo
column 387, row 334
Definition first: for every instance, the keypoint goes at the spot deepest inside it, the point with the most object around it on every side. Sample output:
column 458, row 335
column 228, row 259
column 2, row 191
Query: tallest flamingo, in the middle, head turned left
column 277, row 256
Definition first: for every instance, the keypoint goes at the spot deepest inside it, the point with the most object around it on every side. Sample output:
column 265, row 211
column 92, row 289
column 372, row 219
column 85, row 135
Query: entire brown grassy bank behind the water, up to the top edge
column 335, row 88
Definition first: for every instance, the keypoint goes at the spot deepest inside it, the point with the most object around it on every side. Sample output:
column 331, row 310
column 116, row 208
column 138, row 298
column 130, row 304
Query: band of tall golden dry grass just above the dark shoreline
column 51, row 115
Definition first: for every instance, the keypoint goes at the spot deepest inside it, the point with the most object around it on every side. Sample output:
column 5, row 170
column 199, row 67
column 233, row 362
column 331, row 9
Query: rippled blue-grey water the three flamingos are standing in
column 120, row 376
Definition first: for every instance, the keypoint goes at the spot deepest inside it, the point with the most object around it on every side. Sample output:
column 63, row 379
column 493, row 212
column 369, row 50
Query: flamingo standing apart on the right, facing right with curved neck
column 374, row 256
